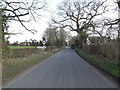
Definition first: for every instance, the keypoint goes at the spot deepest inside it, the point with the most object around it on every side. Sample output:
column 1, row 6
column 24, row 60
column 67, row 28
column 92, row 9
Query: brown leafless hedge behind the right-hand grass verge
column 108, row 49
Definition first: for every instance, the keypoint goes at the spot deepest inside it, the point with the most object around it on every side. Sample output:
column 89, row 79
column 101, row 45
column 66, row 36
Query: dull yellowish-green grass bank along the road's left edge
column 11, row 67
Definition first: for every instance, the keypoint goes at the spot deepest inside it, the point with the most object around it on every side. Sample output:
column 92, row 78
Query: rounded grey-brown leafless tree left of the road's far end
column 55, row 36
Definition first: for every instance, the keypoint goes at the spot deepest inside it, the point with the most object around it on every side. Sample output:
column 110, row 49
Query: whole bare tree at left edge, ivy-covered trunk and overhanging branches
column 16, row 10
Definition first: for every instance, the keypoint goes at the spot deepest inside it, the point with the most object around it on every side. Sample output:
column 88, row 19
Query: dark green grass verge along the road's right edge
column 107, row 64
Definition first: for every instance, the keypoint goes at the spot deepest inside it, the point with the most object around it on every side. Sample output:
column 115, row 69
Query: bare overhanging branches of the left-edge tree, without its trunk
column 16, row 10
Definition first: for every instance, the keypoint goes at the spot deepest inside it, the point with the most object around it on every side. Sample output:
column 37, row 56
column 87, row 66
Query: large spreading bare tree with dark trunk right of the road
column 79, row 15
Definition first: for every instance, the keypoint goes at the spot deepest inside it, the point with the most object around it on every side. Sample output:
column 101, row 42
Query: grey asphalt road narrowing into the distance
column 65, row 69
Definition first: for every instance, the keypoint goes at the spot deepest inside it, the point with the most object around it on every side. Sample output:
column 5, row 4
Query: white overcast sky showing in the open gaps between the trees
column 40, row 25
